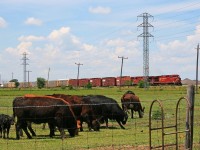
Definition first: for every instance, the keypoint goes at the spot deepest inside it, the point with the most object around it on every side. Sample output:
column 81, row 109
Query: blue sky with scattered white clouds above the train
column 56, row 34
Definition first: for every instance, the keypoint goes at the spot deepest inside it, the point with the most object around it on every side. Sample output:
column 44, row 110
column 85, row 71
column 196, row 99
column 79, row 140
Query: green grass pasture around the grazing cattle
column 136, row 134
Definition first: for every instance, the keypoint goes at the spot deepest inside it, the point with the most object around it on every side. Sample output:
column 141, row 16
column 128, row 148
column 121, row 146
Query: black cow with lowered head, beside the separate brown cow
column 107, row 108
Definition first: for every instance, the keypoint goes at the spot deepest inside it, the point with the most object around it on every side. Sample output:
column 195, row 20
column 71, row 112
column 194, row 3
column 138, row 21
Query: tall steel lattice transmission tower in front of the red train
column 145, row 36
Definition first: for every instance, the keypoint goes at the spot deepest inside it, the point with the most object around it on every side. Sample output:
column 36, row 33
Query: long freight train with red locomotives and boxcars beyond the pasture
column 108, row 81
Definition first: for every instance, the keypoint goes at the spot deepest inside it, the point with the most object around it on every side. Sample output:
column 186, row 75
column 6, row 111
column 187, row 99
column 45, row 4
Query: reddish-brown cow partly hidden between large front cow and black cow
column 82, row 110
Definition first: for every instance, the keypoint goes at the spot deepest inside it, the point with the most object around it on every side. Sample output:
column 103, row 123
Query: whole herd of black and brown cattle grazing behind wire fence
column 68, row 112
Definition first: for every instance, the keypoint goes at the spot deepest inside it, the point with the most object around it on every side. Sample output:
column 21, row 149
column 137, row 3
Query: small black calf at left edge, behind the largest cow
column 5, row 122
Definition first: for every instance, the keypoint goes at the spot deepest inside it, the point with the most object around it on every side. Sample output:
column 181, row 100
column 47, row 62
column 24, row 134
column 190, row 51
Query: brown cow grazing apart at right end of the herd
column 130, row 101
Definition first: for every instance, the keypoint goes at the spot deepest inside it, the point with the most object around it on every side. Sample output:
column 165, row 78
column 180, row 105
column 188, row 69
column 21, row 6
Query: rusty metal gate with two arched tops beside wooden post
column 163, row 127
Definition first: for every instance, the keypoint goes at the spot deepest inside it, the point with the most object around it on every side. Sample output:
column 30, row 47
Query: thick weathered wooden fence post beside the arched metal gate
column 190, row 118
